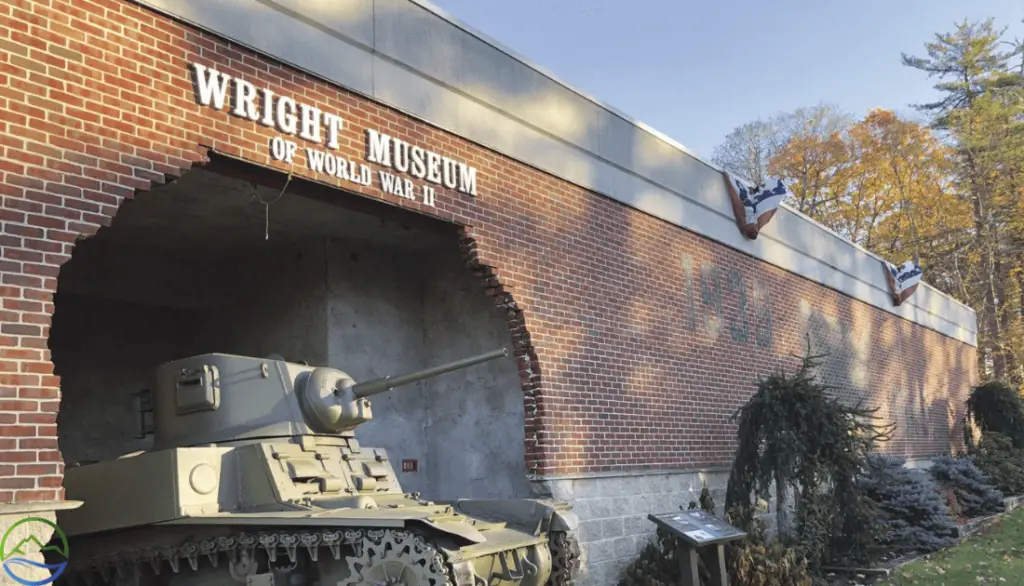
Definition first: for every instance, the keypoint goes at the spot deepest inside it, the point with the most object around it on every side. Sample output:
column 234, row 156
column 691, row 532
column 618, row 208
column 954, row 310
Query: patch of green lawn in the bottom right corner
column 997, row 557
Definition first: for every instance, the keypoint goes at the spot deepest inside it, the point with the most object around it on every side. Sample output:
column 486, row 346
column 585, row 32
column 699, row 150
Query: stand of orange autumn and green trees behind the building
column 950, row 196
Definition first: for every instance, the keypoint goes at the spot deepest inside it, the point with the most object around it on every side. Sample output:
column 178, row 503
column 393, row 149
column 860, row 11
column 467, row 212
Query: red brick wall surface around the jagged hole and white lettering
column 636, row 339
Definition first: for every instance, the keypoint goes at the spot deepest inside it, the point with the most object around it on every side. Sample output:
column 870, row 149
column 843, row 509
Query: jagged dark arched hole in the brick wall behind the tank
column 186, row 270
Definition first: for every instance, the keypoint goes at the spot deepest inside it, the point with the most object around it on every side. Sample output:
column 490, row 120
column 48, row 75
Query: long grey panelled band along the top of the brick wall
column 402, row 55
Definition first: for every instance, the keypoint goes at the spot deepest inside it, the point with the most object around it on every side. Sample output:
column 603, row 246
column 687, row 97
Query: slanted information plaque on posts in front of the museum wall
column 698, row 530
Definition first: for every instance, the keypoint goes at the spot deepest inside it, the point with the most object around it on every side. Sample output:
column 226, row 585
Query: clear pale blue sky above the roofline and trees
column 697, row 70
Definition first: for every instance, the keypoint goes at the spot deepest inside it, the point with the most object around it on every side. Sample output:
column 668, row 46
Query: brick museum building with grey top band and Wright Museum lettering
column 373, row 186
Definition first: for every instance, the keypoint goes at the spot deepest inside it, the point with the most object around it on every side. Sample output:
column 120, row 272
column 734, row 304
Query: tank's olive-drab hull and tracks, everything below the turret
column 264, row 514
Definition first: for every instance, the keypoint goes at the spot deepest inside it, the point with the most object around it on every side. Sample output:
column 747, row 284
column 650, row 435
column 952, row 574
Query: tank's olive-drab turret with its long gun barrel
column 219, row 399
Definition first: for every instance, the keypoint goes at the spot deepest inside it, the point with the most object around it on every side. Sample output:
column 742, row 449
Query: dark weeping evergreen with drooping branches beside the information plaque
column 795, row 436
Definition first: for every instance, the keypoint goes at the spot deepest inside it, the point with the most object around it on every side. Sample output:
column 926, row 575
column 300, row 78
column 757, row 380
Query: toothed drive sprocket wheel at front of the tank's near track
column 388, row 558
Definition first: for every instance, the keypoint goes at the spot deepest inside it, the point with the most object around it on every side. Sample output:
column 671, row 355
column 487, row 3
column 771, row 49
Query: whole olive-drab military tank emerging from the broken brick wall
column 257, row 478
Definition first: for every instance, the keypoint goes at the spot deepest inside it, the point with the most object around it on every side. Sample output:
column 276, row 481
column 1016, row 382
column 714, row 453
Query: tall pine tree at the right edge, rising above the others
column 982, row 108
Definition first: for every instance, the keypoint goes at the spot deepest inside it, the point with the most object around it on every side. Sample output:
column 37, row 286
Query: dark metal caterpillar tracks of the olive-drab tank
column 124, row 567
